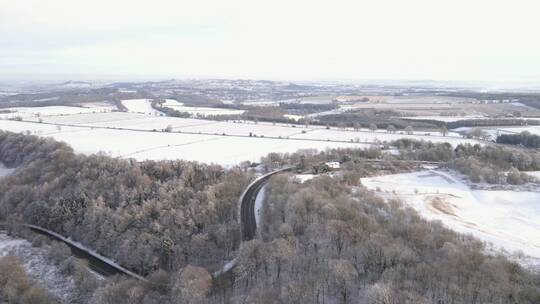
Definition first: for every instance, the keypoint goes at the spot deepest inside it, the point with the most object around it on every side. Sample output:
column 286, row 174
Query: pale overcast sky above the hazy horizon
column 271, row 39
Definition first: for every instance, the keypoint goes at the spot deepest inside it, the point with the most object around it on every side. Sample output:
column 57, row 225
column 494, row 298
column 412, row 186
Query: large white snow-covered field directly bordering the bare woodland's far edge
column 141, row 145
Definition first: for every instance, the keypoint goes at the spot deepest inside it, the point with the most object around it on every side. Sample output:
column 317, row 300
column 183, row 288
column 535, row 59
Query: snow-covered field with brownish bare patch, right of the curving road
column 507, row 220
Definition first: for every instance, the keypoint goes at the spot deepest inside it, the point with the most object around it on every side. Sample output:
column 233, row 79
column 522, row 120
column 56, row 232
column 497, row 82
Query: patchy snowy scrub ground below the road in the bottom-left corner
column 39, row 268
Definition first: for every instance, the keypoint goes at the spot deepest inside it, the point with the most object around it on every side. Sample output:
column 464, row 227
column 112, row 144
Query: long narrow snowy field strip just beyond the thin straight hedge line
column 137, row 121
